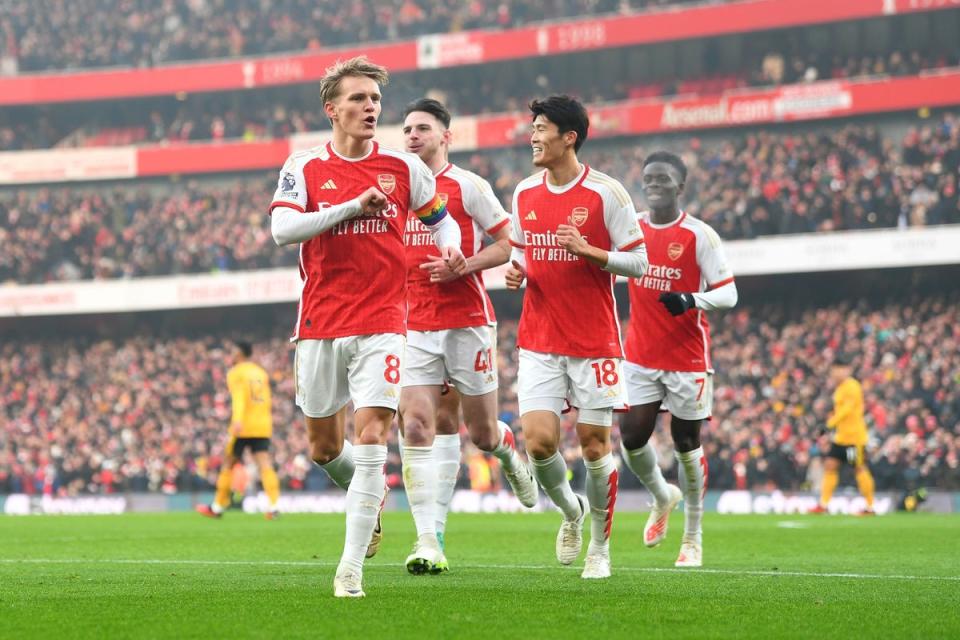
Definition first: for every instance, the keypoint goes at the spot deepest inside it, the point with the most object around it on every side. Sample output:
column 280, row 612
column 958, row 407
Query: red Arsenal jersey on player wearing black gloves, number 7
column 685, row 257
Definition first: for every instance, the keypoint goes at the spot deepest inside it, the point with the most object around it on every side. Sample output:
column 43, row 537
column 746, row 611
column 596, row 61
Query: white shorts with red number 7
column 685, row 394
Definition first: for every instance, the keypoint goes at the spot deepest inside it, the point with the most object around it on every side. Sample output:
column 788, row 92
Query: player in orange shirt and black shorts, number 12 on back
column 251, row 427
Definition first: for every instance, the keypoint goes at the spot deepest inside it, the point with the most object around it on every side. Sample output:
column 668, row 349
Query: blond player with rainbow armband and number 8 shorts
column 346, row 203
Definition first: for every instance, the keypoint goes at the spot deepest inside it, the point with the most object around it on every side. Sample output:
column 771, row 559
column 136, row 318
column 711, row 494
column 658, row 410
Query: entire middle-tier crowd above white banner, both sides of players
column 746, row 185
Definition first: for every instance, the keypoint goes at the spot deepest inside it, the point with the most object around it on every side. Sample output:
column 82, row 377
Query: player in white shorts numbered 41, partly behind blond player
column 451, row 335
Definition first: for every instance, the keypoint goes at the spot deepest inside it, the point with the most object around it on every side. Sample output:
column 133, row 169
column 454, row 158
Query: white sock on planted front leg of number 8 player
column 364, row 497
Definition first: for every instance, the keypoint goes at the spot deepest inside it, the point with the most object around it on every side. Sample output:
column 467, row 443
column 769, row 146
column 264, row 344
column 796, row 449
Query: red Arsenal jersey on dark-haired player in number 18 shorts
column 568, row 307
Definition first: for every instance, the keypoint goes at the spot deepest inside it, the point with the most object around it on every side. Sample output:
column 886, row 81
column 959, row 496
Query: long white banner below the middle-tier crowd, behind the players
column 800, row 253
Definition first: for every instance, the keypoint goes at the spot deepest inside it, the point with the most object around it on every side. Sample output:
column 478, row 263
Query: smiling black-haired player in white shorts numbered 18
column 574, row 229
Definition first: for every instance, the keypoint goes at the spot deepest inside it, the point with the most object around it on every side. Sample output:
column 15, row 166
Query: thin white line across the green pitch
column 531, row 567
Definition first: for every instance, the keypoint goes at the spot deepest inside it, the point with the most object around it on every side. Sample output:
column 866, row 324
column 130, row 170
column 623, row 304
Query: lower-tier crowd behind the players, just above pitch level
column 146, row 413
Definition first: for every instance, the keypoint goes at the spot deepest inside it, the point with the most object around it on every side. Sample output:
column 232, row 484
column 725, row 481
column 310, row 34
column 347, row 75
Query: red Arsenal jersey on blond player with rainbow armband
column 354, row 275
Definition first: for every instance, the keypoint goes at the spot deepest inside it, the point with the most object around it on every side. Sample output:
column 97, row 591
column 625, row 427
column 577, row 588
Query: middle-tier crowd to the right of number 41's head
column 761, row 183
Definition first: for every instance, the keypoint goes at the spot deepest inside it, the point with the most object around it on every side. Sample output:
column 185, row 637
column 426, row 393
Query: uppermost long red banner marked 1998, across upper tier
column 454, row 49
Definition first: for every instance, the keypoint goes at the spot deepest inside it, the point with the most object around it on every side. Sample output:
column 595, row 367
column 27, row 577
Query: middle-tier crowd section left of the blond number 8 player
column 66, row 234
